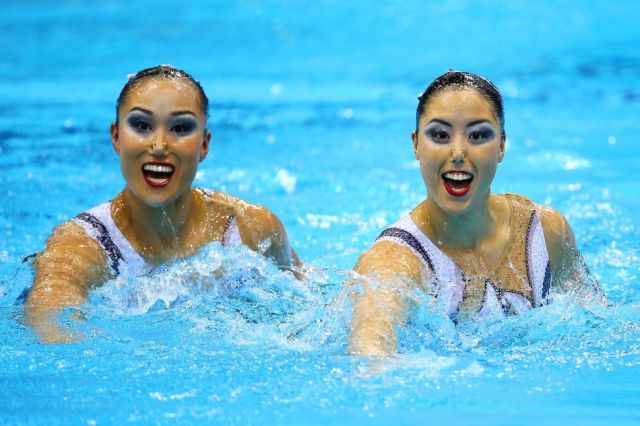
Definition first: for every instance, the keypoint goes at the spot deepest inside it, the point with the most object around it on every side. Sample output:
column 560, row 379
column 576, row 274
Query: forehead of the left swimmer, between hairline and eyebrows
column 155, row 93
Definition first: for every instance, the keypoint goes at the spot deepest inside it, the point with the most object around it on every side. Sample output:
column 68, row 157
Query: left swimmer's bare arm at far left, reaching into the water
column 70, row 264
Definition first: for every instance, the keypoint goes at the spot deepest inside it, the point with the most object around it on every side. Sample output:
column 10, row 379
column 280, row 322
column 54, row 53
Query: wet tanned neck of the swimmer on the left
column 155, row 227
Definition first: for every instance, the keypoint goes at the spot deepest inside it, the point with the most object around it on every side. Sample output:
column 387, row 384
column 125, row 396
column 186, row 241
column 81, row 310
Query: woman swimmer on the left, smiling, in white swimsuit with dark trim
column 160, row 134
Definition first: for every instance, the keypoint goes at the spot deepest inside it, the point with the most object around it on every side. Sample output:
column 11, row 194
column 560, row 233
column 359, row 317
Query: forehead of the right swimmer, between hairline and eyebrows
column 459, row 104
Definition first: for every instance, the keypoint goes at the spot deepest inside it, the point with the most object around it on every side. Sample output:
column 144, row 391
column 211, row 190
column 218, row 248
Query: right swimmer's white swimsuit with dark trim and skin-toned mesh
column 506, row 290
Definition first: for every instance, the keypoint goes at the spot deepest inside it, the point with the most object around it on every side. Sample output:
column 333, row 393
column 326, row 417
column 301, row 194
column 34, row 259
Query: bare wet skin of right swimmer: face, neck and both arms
column 459, row 144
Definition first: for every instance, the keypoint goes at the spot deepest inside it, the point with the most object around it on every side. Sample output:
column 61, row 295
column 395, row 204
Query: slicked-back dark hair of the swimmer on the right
column 462, row 80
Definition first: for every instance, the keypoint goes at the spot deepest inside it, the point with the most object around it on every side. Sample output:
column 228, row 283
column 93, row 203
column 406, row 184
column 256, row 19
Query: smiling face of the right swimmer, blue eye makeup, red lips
column 459, row 144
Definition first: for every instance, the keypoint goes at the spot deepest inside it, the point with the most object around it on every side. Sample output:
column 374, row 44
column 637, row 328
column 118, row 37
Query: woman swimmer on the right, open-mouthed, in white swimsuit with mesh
column 480, row 253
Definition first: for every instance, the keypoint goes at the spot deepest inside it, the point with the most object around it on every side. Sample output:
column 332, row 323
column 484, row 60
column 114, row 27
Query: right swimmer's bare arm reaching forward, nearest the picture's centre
column 386, row 271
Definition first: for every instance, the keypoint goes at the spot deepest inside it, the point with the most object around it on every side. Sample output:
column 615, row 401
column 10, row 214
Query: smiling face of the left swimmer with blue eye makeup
column 160, row 137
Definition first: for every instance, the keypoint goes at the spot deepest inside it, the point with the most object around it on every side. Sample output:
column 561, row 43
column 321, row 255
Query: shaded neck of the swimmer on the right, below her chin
column 465, row 230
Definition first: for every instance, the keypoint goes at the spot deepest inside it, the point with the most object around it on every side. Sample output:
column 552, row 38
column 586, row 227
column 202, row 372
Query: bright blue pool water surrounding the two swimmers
column 312, row 106
